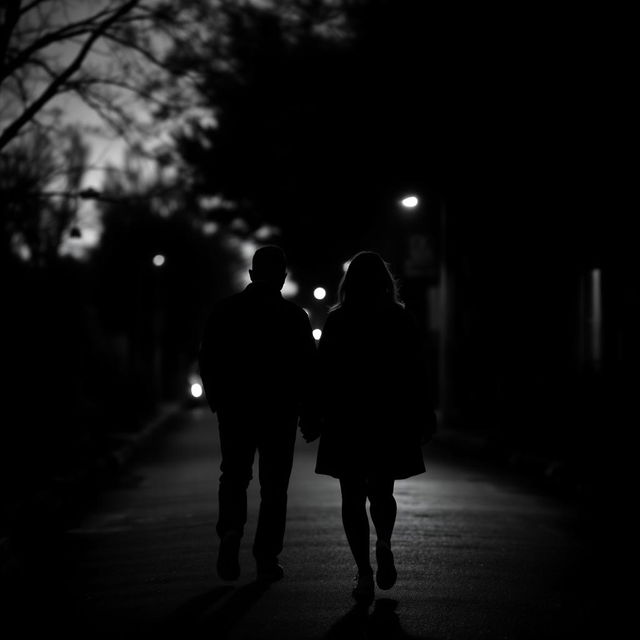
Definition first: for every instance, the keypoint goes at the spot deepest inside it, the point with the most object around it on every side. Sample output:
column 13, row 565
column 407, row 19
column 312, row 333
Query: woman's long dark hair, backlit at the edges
column 368, row 279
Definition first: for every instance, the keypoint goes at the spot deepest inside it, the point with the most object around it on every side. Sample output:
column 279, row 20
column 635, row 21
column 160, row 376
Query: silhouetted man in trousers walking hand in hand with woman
column 256, row 361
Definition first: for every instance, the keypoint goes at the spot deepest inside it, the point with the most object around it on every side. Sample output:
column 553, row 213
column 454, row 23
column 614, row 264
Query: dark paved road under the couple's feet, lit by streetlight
column 480, row 555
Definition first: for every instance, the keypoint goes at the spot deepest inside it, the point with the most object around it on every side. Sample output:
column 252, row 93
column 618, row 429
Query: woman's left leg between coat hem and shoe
column 355, row 520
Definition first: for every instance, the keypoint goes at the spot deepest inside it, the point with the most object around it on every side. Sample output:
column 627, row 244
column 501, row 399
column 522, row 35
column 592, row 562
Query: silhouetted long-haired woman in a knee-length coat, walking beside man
column 375, row 409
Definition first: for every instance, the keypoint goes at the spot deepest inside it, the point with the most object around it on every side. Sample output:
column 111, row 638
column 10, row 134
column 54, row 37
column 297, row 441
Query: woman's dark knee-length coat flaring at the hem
column 375, row 400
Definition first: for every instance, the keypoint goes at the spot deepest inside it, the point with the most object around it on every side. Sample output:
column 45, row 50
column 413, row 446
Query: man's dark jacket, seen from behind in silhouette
column 257, row 353
